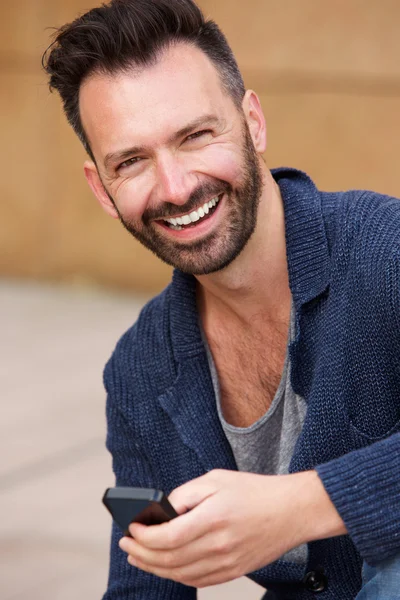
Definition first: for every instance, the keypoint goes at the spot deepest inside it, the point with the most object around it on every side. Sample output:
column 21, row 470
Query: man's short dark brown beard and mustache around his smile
column 219, row 248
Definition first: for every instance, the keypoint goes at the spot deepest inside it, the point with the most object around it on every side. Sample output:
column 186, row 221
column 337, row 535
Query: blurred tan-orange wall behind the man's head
column 329, row 78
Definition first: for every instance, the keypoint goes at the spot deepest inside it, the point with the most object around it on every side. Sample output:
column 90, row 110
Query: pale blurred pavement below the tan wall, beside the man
column 54, row 531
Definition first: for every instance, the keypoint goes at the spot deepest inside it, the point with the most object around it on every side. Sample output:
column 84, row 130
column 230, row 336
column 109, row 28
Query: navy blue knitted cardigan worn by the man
column 163, row 427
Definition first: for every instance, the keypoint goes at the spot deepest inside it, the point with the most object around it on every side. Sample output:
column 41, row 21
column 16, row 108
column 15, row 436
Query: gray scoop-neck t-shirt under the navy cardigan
column 266, row 447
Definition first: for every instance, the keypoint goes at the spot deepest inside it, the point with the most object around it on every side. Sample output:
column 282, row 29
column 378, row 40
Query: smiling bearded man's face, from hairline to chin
column 176, row 159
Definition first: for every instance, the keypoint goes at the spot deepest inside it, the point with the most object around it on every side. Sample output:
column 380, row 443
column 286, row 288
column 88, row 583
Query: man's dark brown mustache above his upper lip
column 197, row 198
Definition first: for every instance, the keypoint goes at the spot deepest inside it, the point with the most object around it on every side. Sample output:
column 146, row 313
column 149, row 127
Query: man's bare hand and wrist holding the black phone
column 232, row 523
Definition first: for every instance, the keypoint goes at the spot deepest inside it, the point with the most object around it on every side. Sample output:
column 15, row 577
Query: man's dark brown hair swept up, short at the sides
column 126, row 33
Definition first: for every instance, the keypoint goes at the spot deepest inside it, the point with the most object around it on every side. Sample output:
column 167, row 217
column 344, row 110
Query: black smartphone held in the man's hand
column 143, row 505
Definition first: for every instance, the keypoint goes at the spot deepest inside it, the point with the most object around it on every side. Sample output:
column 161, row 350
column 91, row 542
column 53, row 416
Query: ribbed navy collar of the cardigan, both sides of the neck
column 307, row 255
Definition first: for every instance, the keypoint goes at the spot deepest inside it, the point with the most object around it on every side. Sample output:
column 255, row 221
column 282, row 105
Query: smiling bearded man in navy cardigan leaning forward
column 261, row 387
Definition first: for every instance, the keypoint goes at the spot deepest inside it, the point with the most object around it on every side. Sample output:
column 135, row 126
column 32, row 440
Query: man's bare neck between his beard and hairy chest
column 256, row 283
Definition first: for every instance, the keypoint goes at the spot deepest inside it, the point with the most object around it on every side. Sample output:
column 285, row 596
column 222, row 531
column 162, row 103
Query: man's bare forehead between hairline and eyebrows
column 146, row 105
